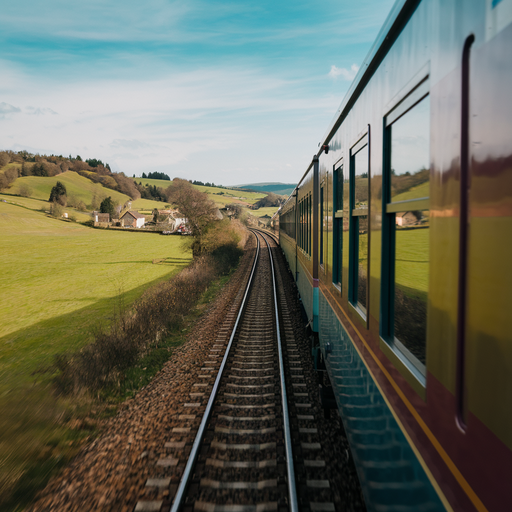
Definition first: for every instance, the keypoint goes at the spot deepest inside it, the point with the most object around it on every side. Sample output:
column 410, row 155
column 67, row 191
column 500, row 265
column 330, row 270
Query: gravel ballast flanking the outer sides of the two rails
column 141, row 452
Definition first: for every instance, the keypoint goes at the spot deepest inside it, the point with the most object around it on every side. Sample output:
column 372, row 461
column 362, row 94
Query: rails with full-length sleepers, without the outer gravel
column 241, row 457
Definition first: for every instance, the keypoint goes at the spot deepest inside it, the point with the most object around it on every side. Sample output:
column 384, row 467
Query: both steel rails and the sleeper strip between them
column 243, row 444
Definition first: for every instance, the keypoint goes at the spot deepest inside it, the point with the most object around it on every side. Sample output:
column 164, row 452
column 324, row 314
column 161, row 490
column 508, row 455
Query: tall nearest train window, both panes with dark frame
column 406, row 233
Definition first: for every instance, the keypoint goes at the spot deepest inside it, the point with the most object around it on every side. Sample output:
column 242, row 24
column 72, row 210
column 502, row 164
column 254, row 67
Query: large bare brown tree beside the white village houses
column 195, row 206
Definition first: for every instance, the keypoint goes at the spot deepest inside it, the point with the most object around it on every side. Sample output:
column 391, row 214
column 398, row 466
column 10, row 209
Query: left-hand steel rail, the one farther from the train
column 180, row 493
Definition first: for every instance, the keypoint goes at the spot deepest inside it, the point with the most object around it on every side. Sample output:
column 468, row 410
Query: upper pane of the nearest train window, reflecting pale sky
column 410, row 147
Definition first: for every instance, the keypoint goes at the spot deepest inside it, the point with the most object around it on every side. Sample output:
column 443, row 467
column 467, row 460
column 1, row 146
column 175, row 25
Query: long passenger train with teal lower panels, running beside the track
column 399, row 237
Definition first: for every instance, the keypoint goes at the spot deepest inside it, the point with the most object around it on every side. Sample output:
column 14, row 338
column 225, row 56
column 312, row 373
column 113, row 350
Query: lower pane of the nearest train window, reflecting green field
column 411, row 284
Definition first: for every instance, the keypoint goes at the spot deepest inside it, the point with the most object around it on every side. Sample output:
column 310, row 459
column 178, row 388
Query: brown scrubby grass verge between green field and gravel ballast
column 48, row 431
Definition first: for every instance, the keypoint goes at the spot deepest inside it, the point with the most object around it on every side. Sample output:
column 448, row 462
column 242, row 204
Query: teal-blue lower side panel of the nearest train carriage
column 390, row 474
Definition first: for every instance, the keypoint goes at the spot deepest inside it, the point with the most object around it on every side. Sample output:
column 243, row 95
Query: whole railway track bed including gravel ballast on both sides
column 240, row 461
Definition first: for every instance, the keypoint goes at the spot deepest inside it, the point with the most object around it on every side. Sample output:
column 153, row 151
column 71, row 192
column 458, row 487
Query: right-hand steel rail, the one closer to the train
column 292, row 488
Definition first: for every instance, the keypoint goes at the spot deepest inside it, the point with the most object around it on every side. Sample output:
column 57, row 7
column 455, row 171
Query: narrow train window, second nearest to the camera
column 359, row 194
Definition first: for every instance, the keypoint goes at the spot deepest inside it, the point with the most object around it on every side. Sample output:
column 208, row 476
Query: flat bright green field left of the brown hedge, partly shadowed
column 59, row 281
